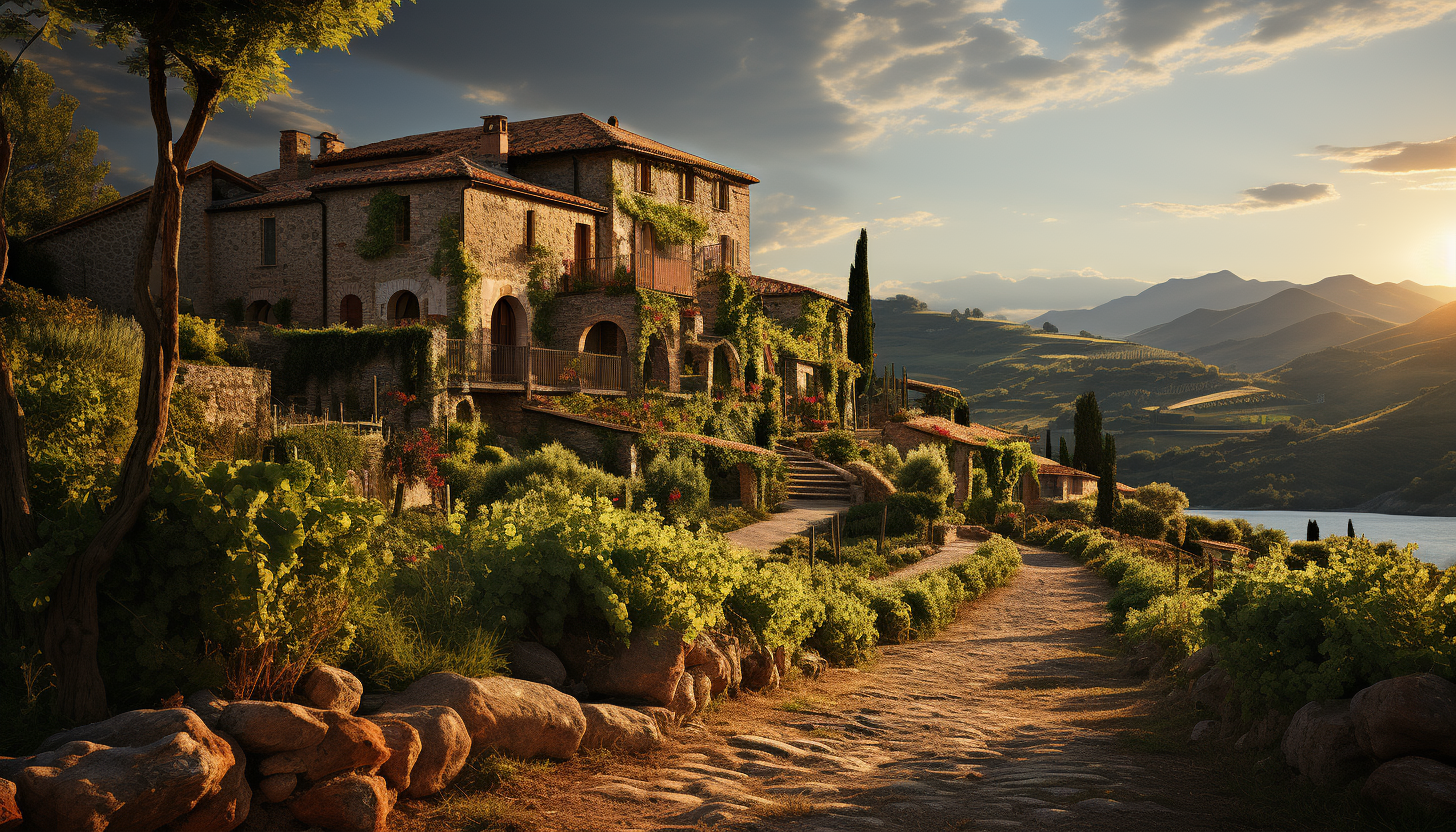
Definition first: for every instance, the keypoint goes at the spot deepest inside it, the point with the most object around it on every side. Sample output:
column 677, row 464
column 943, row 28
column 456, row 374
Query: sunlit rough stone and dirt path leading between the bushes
column 1011, row 719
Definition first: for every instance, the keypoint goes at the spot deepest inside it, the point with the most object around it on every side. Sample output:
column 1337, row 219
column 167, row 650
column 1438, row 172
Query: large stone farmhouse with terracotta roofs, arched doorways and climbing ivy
column 544, row 208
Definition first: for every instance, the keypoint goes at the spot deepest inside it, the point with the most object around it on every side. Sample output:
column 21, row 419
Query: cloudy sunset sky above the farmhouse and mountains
column 1013, row 155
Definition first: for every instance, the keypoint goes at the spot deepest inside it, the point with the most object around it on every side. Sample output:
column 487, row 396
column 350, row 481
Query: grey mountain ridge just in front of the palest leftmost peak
column 1209, row 327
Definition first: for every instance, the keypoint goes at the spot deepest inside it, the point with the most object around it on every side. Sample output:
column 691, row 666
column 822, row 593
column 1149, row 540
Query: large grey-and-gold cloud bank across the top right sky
column 895, row 65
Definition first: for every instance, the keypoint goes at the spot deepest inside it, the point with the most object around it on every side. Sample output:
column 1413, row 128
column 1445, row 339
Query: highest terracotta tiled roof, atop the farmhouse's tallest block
column 532, row 138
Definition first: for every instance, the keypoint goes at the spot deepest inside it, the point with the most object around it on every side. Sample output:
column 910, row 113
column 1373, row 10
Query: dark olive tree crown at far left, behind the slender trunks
column 53, row 176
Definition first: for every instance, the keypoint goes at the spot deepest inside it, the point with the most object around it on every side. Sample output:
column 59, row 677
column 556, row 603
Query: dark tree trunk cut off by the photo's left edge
column 18, row 534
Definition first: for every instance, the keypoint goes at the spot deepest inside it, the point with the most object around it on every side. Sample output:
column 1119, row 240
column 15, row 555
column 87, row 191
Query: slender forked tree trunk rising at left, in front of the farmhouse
column 72, row 629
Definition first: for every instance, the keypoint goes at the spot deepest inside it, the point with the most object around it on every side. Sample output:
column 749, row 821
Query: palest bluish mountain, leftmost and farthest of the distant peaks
column 1166, row 302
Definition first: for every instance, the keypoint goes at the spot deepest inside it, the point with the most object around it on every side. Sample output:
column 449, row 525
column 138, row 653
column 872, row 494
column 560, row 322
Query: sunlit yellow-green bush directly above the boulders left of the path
column 557, row 556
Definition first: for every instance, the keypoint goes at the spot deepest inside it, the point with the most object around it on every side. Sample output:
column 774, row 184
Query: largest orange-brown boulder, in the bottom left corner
column 123, row 788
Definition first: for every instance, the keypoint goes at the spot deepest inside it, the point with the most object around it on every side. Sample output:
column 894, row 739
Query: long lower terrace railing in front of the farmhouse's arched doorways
column 477, row 362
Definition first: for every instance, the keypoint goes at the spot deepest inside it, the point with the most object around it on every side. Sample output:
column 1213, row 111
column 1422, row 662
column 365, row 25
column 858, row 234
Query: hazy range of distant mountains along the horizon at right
column 1224, row 291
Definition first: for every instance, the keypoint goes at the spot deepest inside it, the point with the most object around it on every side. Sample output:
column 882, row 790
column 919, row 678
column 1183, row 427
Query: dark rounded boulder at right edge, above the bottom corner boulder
column 1410, row 716
